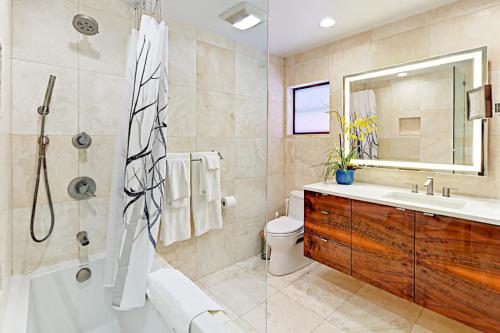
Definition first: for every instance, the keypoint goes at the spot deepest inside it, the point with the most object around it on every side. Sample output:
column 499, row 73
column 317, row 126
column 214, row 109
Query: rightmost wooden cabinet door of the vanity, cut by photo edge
column 458, row 270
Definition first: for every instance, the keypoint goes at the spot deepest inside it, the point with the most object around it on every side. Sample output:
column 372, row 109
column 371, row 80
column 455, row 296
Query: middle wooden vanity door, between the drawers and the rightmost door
column 383, row 247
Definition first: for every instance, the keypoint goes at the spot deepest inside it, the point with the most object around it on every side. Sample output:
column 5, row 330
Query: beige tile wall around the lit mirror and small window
column 462, row 25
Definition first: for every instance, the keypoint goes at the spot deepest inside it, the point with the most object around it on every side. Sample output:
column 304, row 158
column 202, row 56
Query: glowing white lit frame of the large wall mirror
column 479, row 135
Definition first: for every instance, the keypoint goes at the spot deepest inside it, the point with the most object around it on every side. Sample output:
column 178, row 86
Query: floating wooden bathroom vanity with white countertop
column 441, row 253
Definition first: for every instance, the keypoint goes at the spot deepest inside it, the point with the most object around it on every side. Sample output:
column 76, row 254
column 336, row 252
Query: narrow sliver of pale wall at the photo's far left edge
column 5, row 160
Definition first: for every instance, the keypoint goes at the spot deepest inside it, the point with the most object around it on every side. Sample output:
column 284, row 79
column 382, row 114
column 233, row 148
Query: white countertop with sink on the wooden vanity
column 475, row 209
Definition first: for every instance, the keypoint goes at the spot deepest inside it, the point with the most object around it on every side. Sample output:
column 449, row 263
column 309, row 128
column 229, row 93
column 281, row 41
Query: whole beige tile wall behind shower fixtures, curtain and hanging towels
column 218, row 93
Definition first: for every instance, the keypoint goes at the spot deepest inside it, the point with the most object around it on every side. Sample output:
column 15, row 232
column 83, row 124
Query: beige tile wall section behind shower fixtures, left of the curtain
column 87, row 97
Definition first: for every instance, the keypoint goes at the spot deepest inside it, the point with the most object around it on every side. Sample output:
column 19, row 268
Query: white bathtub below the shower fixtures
column 50, row 300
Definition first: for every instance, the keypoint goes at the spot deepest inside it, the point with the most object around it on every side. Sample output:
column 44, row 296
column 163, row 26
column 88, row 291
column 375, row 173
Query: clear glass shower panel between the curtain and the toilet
column 218, row 102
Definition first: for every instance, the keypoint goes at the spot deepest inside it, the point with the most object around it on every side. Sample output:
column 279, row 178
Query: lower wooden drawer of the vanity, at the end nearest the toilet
column 327, row 252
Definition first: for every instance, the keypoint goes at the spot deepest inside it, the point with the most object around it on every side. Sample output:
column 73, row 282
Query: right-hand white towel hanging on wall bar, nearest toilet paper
column 206, row 194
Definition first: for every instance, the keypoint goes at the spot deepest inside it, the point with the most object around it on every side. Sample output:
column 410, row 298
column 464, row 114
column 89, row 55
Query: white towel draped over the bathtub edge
column 178, row 299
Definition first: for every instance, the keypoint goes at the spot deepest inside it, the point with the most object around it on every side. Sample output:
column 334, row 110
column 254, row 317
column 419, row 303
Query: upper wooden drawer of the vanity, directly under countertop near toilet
column 332, row 226
